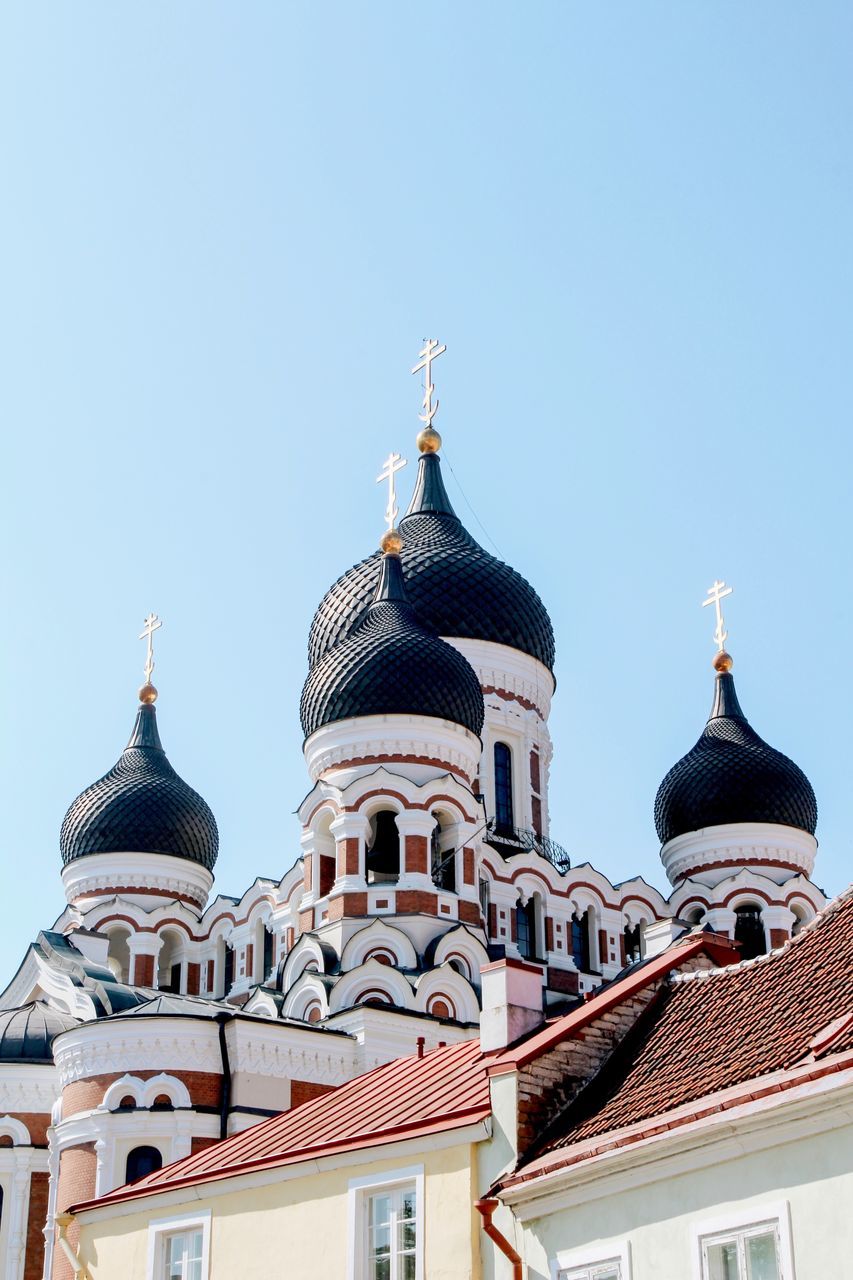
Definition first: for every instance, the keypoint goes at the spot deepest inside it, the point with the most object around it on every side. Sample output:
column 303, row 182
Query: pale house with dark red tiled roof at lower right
column 718, row 1141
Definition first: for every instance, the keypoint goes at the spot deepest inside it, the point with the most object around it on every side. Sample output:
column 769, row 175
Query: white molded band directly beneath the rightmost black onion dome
column 740, row 842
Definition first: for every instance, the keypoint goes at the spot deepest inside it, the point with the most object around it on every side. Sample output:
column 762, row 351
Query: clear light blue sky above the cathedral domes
column 225, row 230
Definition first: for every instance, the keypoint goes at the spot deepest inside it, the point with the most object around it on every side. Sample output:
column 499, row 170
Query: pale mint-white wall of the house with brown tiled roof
column 813, row 1174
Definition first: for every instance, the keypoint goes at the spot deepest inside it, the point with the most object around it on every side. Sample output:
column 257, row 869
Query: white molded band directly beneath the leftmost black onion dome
column 88, row 880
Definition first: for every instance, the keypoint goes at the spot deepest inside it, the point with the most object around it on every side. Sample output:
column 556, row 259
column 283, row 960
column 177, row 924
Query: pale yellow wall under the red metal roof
column 299, row 1228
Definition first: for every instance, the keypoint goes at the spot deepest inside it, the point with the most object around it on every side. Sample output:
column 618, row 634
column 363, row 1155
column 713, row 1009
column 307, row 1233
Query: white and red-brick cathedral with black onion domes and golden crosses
column 157, row 1017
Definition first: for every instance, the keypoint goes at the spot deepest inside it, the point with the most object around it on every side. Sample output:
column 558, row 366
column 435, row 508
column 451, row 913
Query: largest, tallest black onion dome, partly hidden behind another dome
column 454, row 584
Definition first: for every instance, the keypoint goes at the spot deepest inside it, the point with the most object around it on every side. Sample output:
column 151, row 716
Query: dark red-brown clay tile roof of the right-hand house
column 715, row 1030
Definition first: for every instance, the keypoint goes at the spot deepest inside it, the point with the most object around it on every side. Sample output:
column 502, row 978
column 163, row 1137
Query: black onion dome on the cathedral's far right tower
column 732, row 775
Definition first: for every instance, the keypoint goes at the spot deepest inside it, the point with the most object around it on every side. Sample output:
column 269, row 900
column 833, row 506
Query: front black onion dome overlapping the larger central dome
column 393, row 665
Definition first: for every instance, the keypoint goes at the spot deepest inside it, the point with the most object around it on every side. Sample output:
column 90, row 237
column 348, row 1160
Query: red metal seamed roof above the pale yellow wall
column 445, row 1090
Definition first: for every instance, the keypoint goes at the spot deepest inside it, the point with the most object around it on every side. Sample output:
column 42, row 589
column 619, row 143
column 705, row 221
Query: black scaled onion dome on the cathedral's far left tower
column 142, row 807
